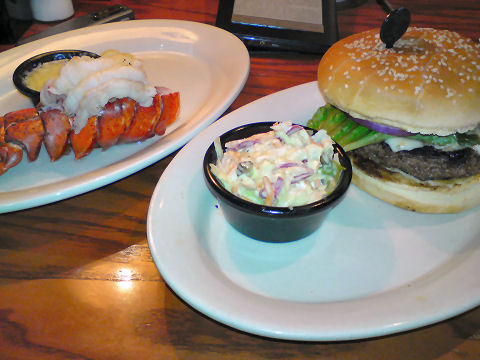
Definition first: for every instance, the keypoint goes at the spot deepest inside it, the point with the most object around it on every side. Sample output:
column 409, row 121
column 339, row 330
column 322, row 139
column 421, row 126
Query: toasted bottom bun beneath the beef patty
column 402, row 190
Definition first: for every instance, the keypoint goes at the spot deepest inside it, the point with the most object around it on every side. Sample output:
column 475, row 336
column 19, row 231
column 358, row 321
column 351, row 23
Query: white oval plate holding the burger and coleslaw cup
column 372, row 269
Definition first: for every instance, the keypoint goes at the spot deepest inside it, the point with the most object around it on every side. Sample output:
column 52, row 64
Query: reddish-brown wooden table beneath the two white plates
column 62, row 295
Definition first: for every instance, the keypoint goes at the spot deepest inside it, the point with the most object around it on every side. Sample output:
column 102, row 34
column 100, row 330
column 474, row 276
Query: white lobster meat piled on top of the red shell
column 85, row 85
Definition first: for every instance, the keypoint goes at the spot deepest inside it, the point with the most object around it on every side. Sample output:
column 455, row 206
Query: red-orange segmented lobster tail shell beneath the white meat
column 121, row 121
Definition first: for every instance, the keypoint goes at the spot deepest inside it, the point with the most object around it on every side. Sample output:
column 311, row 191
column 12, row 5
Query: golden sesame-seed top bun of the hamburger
column 429, row 82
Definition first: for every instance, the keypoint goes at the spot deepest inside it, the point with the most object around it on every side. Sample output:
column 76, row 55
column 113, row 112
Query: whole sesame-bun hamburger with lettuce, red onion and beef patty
column 407, row 116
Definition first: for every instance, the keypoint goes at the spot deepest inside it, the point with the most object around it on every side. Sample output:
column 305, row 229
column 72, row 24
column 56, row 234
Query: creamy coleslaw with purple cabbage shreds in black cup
column 284, row 167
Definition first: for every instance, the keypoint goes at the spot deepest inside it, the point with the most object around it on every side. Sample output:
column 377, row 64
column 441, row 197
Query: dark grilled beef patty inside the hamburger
column 425, row 163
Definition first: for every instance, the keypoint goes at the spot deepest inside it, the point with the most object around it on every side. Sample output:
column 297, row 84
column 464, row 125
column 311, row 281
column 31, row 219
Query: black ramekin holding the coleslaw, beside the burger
column 268, row 223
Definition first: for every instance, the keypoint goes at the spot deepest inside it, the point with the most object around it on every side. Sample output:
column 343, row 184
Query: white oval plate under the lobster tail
column 207, row 65
